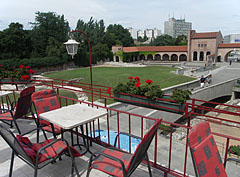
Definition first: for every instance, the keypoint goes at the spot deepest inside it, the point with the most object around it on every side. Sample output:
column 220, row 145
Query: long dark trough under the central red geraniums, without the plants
column 148, row 103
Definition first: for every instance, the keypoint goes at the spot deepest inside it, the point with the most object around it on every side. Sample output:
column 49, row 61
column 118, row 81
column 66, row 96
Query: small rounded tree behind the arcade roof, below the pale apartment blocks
column 163, row 40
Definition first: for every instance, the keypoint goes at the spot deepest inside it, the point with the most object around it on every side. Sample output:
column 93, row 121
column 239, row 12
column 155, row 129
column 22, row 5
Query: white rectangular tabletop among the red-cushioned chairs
column 72, row 116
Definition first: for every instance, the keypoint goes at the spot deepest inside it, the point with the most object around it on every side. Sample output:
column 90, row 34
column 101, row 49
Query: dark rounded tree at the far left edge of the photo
column 15, row 42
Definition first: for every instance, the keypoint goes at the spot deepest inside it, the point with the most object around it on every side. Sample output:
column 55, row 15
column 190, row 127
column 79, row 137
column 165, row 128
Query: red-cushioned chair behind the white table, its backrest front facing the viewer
column 44, row 101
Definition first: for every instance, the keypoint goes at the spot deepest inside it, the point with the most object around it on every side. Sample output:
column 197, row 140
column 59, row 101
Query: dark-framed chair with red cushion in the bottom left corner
column 37, row 155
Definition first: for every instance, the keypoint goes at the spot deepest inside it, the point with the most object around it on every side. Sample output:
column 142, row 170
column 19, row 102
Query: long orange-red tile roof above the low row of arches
column 155, row 49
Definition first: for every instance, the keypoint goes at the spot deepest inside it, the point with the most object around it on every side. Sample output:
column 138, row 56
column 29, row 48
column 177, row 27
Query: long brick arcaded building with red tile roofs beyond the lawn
column 202, row 47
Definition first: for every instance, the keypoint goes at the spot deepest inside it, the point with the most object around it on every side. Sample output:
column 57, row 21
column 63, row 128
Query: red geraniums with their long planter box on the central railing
column 147, row 95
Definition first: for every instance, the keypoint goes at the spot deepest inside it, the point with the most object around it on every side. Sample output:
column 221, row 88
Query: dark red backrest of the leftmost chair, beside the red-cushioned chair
column 24, row 102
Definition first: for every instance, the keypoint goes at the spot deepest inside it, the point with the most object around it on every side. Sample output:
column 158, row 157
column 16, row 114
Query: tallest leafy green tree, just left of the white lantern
column 48, row 25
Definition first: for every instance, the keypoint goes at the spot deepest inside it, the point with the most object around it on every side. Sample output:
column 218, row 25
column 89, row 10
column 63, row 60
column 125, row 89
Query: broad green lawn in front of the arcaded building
column 110, row 76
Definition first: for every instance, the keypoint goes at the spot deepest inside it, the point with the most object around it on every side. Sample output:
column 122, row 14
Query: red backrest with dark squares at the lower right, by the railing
column 207, row 161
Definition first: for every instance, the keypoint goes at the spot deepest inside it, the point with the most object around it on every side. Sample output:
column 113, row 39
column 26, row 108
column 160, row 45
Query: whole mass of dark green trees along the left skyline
column 49, row 32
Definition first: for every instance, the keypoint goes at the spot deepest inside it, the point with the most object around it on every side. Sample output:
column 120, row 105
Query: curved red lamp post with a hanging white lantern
column 72, row 47
